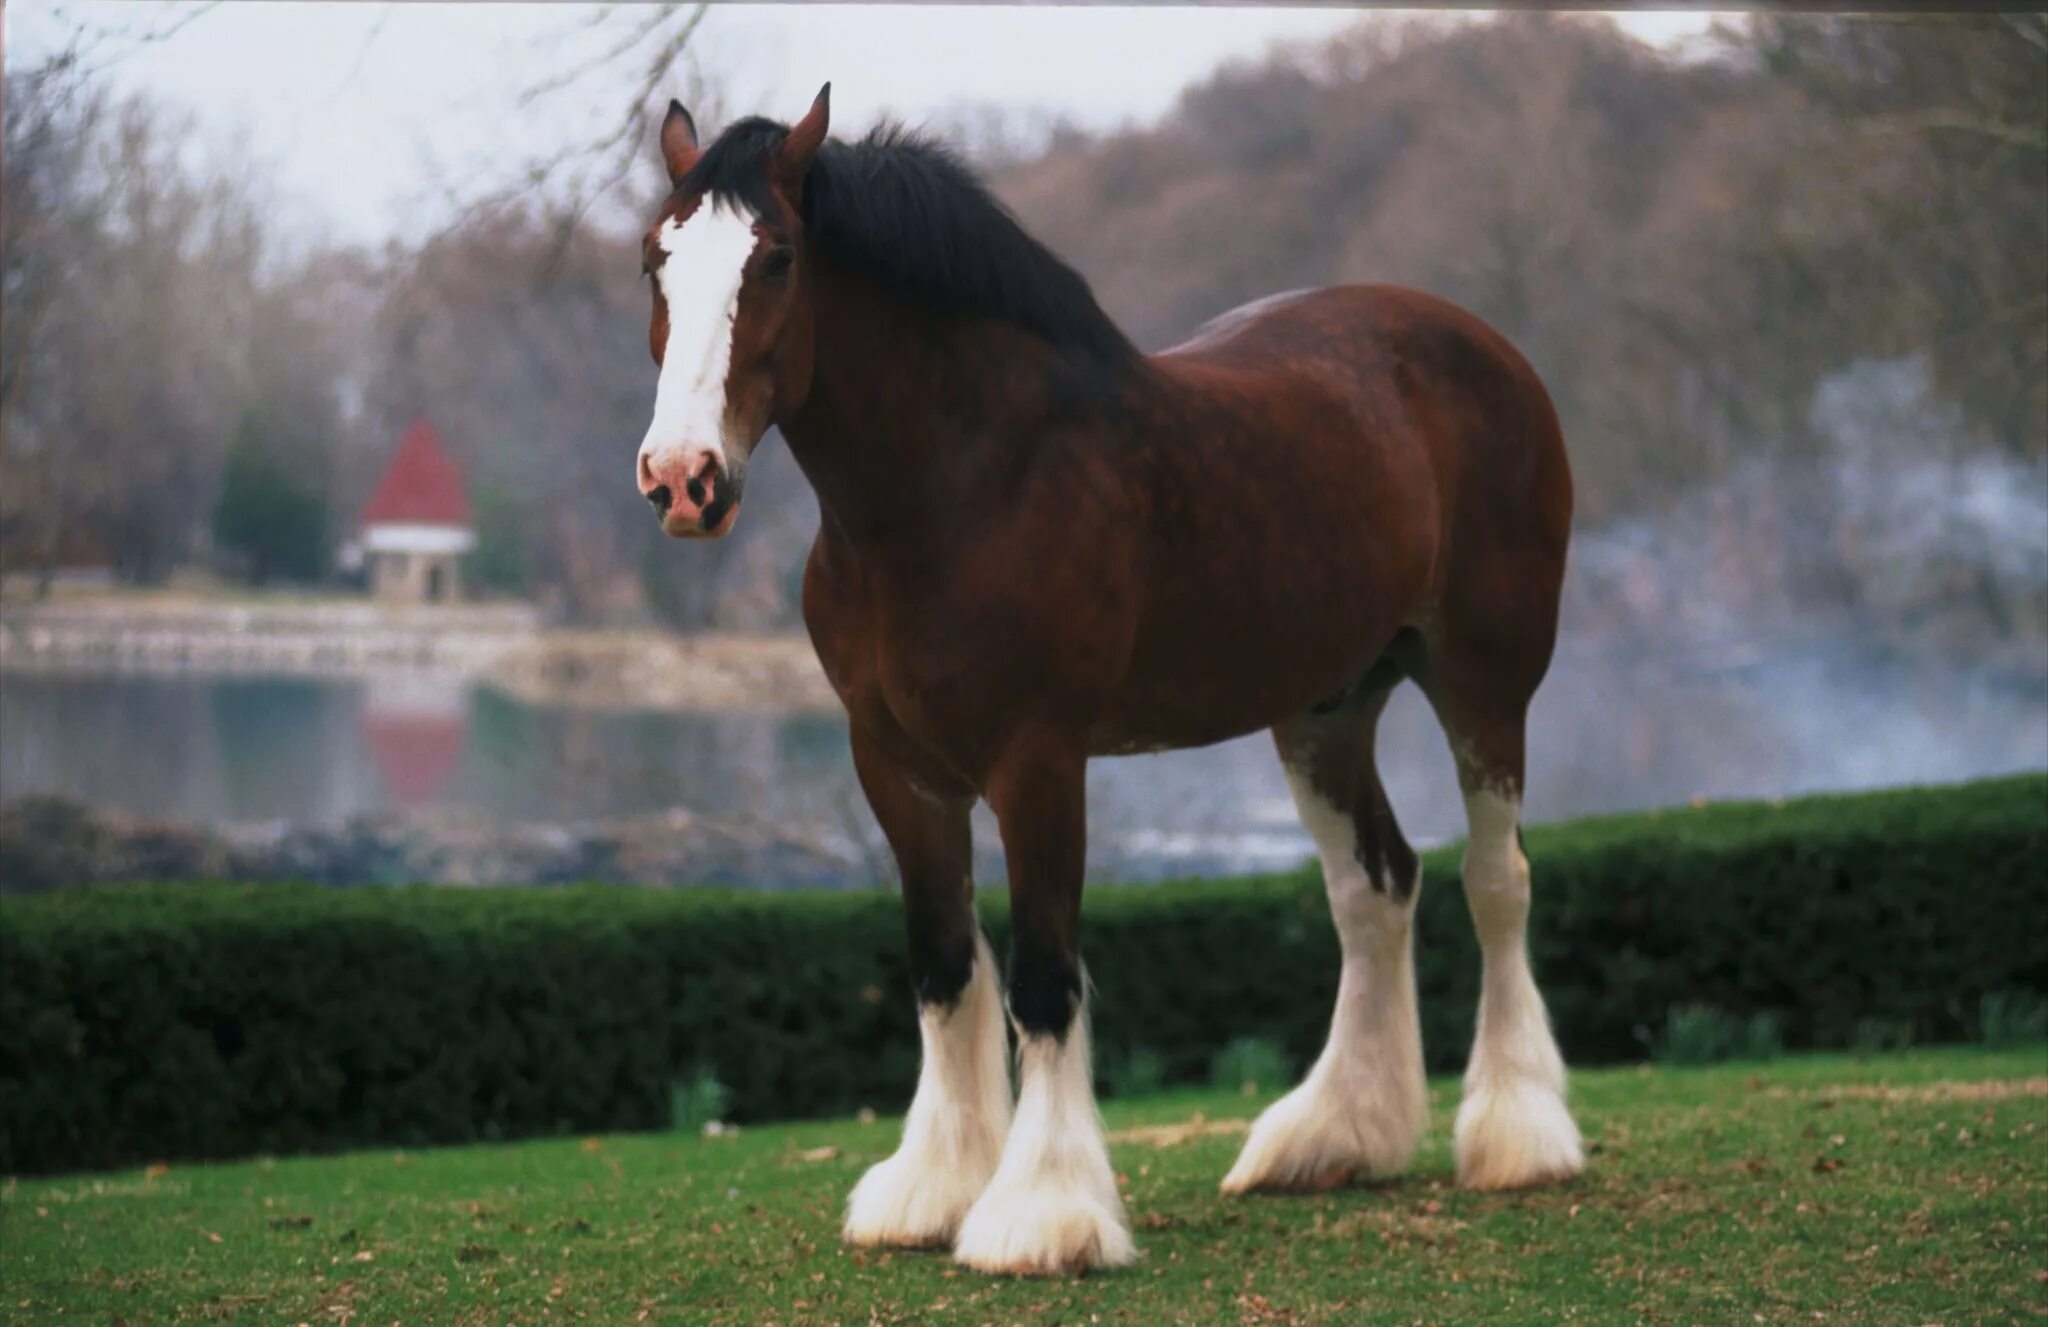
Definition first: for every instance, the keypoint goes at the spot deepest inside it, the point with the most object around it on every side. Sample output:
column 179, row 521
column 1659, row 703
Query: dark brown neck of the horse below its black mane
column 916, row 413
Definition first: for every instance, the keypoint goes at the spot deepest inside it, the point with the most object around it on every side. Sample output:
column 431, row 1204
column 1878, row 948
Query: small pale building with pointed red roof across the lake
column 417, row 525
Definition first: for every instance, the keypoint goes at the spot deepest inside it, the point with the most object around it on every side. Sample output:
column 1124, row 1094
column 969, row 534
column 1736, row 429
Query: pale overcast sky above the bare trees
column 370, row 116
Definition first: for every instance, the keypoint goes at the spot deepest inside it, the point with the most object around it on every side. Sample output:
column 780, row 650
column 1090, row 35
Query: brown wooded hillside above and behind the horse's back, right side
column 1684, row 249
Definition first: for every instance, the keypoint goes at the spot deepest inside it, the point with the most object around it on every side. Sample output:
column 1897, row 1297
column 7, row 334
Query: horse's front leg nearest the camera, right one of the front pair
column 1054, row 1203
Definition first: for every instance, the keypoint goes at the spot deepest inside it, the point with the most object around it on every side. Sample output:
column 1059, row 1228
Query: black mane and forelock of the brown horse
column 912, row 214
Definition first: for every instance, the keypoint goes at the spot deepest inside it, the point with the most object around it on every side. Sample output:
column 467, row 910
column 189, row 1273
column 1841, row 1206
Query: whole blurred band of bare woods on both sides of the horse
column 1762, row 280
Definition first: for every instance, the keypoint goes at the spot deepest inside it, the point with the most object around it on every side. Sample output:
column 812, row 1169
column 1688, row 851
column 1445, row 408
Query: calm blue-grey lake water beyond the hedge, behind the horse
column 1605, row 738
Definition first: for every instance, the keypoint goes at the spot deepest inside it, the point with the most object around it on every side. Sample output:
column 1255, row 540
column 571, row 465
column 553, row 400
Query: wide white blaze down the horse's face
column 703, row 263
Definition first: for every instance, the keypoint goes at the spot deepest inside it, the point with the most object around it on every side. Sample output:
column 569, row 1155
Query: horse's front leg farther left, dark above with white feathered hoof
column 955, row 1129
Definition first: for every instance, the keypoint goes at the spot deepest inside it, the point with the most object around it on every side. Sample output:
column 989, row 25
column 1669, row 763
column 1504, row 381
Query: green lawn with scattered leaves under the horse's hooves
column 1902, row 1189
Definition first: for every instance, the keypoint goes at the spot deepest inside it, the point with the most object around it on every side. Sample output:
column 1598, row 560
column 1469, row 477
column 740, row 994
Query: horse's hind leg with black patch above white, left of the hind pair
column 1365, row 1103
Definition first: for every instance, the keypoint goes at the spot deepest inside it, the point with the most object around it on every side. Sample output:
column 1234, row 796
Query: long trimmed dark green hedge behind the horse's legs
column 210, row 1021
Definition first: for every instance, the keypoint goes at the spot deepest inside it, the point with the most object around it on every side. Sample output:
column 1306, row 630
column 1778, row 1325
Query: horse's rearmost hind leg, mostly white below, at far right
column 1512, row 1125
